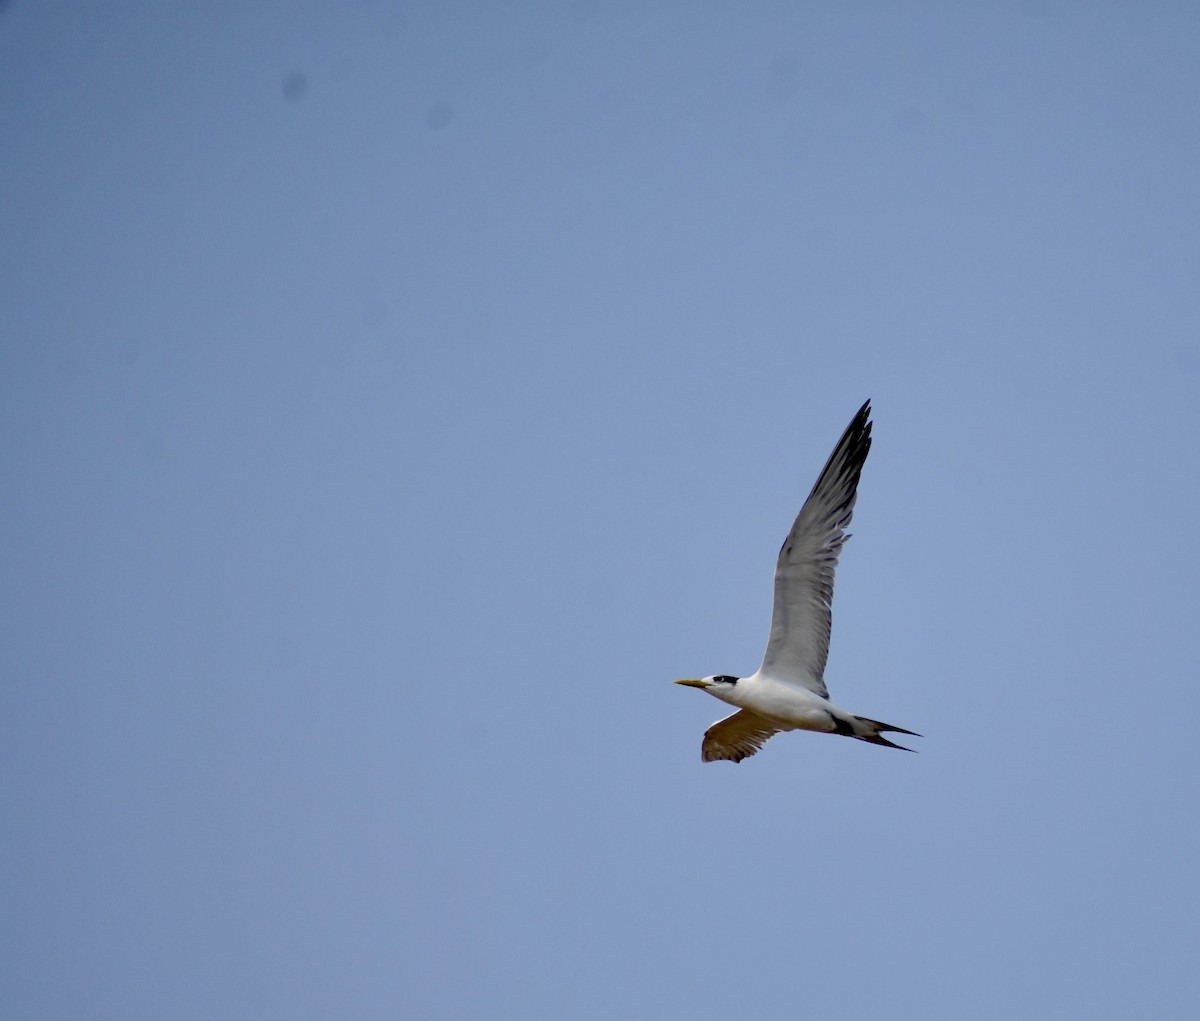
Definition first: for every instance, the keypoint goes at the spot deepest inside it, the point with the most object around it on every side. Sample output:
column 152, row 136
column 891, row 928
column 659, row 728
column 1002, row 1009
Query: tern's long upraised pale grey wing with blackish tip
column 800, row 624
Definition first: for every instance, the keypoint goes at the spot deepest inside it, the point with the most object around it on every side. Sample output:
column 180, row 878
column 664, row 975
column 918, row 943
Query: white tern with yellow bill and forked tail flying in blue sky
column 789, row 692
